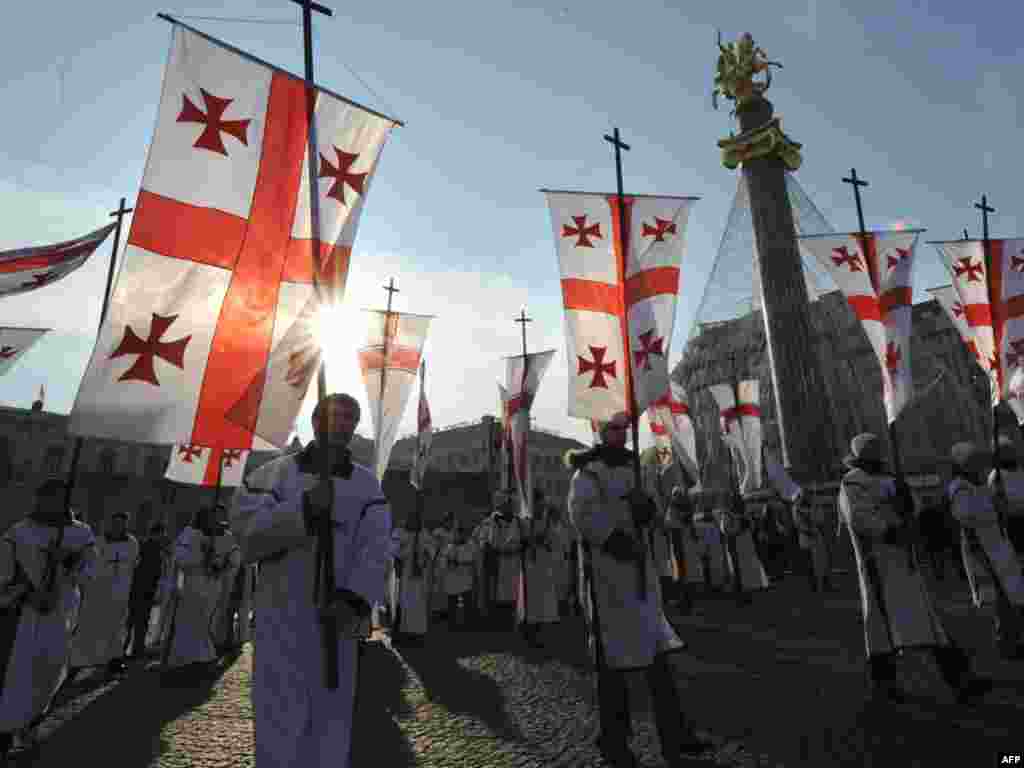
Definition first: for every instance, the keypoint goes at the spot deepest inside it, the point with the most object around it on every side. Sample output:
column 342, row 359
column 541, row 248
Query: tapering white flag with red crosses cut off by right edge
column 992, row 294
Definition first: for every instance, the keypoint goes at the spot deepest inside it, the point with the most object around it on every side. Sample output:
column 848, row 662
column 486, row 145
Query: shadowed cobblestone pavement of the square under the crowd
column 780, row 682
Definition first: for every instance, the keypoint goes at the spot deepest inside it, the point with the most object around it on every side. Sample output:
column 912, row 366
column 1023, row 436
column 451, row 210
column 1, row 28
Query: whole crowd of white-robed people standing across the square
column 627, row 559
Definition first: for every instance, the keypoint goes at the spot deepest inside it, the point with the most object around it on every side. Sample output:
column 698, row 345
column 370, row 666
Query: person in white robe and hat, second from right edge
column 987, row 546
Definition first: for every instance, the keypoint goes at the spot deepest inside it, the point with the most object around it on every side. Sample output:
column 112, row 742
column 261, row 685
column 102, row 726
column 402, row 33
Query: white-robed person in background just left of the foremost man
column 190, row 639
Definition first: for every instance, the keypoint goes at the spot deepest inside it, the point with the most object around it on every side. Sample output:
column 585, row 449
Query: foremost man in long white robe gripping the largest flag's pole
column 278, row 516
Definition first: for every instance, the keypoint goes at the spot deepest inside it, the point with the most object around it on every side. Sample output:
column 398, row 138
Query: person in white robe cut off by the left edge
column 46, row 562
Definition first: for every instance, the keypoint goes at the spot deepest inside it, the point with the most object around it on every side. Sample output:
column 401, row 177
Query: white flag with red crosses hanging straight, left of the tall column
column 620, row 296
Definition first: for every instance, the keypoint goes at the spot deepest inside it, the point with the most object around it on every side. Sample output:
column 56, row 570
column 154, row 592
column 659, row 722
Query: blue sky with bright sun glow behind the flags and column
column 500, row 100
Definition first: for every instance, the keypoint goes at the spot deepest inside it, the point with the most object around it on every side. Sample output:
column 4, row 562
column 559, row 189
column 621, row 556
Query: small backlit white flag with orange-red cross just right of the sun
column 390, row 363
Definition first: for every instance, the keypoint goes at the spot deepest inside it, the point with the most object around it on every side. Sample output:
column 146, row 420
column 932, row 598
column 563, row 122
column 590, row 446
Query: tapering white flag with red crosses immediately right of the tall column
column 875, row 272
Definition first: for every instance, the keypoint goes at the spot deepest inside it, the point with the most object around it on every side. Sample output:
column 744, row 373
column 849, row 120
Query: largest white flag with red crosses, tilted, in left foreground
column 220, row 262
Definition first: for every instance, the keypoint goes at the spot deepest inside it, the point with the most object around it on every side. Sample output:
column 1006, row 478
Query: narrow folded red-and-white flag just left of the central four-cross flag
column 523, row 379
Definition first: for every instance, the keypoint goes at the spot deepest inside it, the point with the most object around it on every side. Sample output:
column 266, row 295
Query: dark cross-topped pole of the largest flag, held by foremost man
column 324, row 578
